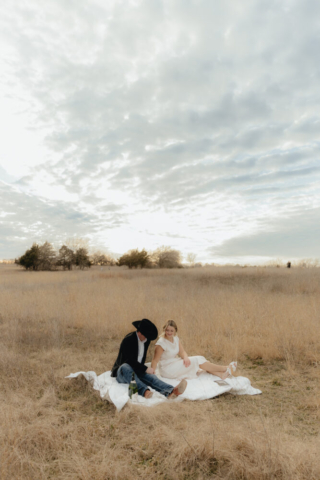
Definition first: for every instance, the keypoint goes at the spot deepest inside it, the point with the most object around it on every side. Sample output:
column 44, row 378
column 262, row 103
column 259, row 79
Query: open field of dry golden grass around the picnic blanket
column 55, row 323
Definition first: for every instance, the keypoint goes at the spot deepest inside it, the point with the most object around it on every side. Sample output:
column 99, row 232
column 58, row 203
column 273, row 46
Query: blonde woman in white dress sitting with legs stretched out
column 169, row 346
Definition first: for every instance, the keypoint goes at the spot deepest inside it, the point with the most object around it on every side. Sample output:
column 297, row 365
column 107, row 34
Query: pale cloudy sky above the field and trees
column 140, row 123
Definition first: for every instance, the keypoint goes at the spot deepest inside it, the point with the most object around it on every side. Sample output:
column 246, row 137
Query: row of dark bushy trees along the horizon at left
column 45, row 257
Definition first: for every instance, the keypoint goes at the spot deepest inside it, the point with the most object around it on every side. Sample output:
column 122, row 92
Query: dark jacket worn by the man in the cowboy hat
column 128, row 353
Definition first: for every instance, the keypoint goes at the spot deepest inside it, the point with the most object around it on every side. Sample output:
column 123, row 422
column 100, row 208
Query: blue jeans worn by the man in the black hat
column 144, row 380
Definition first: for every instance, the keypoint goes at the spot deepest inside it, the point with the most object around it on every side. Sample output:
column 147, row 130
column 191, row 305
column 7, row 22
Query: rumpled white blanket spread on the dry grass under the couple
column 204, row 387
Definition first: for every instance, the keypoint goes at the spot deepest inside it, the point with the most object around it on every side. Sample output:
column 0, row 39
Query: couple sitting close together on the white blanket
column 133, row 352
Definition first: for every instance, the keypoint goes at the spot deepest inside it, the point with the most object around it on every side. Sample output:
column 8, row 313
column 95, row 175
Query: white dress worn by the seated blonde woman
column 171, row 366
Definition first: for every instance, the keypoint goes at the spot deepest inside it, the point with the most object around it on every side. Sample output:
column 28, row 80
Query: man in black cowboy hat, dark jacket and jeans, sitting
column 131, row 358
